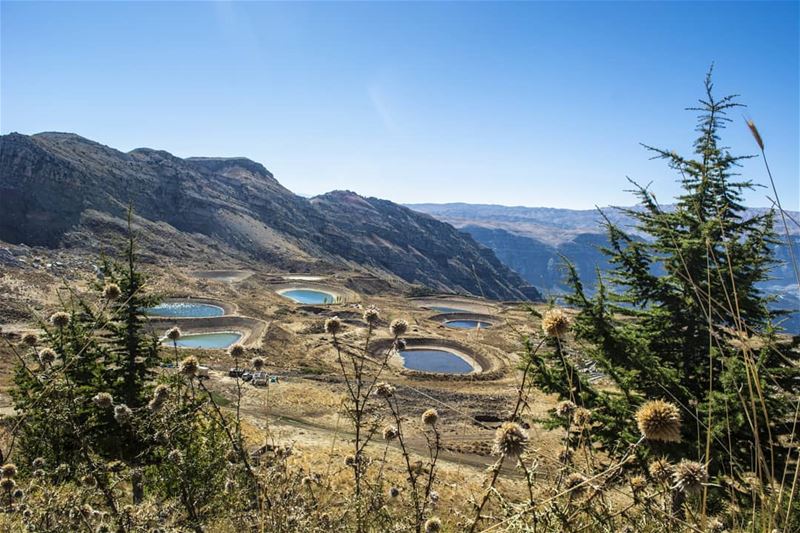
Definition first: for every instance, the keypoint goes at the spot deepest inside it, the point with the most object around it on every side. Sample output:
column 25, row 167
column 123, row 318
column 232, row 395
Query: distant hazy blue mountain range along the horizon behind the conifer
column 531, row 240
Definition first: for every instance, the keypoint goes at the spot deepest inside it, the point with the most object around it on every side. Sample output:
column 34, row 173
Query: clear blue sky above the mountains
column 538, row 104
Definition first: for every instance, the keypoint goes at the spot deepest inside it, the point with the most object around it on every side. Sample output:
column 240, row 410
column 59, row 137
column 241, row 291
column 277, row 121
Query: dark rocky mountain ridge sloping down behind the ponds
column 62, row 190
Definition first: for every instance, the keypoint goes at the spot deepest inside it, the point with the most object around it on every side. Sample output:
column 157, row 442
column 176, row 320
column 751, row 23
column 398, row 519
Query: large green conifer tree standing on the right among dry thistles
column 681, row 317
